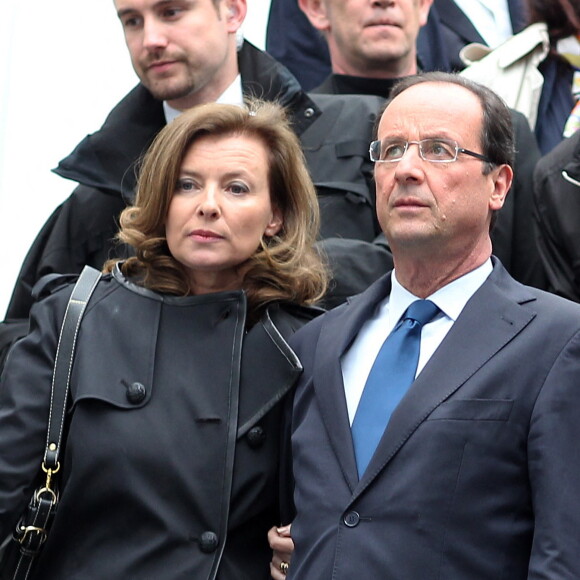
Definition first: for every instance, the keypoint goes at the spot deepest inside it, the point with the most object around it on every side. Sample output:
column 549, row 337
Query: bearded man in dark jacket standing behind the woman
column 186, row 56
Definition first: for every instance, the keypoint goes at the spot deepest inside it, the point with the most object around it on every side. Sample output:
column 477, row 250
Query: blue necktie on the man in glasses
column 392, row 374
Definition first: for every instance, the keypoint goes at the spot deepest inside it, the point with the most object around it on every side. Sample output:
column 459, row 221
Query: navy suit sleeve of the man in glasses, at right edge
column 554, row 460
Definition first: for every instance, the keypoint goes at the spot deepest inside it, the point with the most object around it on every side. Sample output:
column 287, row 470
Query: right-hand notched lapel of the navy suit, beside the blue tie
column 495, row 311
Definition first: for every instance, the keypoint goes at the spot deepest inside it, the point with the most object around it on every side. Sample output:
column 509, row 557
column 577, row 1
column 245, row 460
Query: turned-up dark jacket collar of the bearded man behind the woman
column 107, row 159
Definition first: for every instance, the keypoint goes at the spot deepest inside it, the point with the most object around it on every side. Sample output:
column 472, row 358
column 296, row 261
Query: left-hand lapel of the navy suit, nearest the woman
column 340, row 328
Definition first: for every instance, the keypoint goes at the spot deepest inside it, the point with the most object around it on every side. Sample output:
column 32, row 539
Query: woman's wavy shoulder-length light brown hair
column 285, row 267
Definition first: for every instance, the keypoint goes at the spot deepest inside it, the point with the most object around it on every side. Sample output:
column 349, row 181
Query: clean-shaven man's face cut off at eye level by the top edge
column 373, row 38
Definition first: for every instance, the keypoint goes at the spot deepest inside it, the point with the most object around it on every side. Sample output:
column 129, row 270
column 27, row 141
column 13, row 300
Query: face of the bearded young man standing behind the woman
column 182, row 50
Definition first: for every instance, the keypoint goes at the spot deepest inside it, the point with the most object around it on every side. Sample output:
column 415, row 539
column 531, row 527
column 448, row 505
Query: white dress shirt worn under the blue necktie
column 357, row 361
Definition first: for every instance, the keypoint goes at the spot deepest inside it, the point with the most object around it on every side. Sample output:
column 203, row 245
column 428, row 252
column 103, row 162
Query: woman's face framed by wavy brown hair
column 220, row 210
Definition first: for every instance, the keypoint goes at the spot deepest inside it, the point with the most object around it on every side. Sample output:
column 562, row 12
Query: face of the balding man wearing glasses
column 437, row 207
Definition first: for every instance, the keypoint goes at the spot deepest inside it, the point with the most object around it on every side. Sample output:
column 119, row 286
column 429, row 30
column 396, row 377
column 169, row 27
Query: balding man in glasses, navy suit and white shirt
column 476, row 475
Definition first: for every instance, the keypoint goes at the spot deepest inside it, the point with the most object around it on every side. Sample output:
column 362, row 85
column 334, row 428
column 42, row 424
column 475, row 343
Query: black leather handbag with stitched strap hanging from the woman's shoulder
column 20, row 552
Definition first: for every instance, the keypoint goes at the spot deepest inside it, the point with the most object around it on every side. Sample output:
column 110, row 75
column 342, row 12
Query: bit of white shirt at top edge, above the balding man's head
column 491, row 18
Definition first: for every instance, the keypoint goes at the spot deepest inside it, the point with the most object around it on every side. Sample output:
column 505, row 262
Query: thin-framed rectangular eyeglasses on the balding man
column 433, row 150
